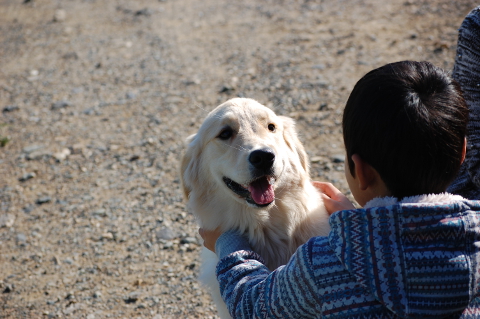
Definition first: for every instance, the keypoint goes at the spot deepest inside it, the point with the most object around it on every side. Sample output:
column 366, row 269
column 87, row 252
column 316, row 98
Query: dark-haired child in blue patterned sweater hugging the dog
column 412, row 251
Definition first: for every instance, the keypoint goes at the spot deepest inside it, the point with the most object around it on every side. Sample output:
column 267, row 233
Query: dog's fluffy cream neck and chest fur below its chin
column 275, row 237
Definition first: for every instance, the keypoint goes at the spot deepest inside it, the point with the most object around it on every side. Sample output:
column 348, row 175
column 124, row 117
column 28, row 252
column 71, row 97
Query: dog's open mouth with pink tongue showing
column 259, row 192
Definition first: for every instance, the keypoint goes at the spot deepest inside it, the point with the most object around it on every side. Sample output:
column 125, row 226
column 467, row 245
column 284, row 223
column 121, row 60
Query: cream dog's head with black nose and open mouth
column 243, row 151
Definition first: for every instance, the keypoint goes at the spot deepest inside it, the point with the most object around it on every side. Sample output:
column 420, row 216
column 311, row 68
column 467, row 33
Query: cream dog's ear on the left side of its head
column 189, row 165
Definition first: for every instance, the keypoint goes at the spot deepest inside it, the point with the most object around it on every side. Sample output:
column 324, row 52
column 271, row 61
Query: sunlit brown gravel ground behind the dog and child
column 97, row 98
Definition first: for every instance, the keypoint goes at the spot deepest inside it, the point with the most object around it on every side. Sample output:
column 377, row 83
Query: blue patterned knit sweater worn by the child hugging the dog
column 418, row 258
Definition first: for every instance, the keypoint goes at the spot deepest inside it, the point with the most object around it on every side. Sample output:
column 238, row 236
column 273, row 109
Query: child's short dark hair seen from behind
column 408, row 121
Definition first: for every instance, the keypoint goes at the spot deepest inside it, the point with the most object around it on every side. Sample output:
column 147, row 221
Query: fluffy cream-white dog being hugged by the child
column 246, row 169
